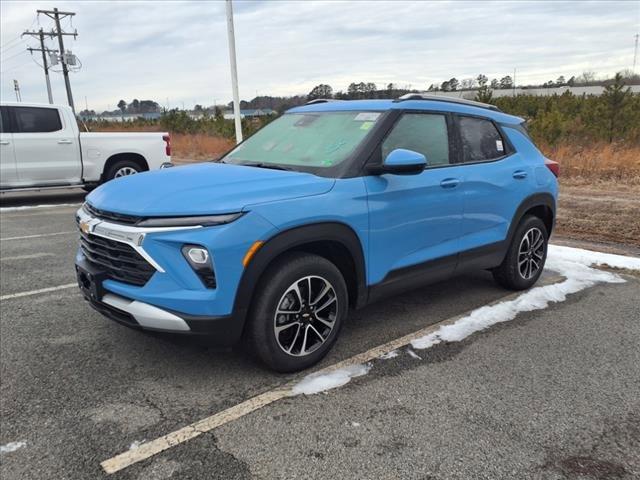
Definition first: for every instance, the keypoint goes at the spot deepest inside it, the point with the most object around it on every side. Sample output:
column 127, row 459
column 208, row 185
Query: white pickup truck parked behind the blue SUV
column 41, row 147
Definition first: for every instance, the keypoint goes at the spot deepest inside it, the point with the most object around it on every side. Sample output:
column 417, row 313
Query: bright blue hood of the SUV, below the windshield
column 202, row 189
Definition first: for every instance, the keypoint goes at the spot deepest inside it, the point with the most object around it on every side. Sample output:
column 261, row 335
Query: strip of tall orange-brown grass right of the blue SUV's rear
column 586, row 165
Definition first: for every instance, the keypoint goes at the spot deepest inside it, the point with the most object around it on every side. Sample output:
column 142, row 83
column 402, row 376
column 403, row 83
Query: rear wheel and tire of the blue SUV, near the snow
column 523, row 263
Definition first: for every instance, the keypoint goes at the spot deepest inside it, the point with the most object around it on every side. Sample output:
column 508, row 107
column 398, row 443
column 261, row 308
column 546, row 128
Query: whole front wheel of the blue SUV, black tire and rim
column 319, row 315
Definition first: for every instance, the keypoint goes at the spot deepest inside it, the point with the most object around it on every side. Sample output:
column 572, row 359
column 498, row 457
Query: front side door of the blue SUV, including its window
column 415, row 219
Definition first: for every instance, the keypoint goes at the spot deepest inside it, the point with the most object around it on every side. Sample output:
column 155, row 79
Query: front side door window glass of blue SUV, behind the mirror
column 423, row 133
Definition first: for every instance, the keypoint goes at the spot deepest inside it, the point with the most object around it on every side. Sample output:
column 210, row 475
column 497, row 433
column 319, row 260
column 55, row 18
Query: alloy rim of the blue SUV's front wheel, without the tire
column 305, row 316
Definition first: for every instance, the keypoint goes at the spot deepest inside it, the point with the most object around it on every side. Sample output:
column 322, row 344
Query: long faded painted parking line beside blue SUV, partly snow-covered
column 149, row 449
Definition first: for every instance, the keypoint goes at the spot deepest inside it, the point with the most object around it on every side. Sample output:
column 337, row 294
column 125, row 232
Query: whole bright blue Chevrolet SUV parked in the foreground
column 332, row 206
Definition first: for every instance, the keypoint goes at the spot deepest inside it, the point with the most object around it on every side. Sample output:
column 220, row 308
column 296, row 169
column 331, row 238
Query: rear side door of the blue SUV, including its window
column 495, row 183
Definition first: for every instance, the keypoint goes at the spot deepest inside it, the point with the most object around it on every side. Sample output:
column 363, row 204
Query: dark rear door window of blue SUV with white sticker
column 481, row 140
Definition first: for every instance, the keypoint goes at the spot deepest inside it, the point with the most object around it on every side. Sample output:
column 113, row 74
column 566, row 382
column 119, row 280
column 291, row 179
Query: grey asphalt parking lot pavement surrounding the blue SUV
column 554, row 393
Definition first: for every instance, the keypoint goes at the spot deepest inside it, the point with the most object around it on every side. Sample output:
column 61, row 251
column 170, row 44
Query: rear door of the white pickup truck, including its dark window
column 46, row 147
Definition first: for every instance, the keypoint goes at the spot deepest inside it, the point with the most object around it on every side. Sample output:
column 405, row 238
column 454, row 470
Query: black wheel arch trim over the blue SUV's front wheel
column 288, row 240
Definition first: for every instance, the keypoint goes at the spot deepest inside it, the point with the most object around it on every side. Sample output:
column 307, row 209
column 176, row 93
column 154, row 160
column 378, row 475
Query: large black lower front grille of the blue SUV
column 118, row 260
